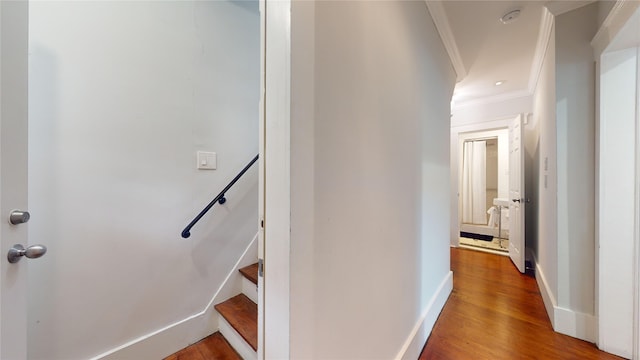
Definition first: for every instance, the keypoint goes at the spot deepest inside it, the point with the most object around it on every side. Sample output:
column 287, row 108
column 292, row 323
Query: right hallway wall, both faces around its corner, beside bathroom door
column 565, row 115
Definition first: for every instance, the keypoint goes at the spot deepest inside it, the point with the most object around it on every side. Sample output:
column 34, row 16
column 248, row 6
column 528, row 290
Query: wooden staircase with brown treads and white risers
column 237, row 337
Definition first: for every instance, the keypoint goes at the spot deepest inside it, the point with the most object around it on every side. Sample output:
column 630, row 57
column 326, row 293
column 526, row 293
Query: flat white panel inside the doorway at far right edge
column 616, row 211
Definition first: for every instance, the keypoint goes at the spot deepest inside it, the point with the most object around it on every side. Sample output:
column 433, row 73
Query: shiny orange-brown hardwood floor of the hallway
column 495, row 312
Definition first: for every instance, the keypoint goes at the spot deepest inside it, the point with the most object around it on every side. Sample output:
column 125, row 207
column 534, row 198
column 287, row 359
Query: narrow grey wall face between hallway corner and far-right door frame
column 575, row 126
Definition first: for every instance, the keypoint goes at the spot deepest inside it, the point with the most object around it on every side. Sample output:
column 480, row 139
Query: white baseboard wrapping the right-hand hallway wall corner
column 565, row 321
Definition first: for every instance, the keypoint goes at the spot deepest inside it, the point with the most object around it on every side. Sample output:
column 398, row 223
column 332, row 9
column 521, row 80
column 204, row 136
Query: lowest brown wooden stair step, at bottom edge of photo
column 213, row 347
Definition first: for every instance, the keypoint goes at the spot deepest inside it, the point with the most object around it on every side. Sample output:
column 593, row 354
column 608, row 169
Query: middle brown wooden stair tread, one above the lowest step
column 242, row 314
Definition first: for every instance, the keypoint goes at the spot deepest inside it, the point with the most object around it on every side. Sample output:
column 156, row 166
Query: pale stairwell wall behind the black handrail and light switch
column 122, row 95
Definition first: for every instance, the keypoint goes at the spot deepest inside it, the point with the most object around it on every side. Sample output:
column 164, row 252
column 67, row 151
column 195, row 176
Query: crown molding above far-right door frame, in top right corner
column 612, row 24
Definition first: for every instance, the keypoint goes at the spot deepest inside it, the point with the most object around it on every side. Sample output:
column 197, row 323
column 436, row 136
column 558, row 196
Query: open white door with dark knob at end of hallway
column 516, row 193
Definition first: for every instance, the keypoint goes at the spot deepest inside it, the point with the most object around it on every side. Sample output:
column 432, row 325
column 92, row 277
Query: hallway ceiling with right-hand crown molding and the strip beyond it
column 484, row 50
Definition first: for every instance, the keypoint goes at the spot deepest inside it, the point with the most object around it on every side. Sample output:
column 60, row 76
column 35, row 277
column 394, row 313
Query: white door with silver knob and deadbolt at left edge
column 13, row 175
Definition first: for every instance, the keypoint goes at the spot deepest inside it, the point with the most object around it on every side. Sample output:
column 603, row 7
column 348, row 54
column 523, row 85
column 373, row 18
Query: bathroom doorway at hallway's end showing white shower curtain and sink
column 483, row 188
